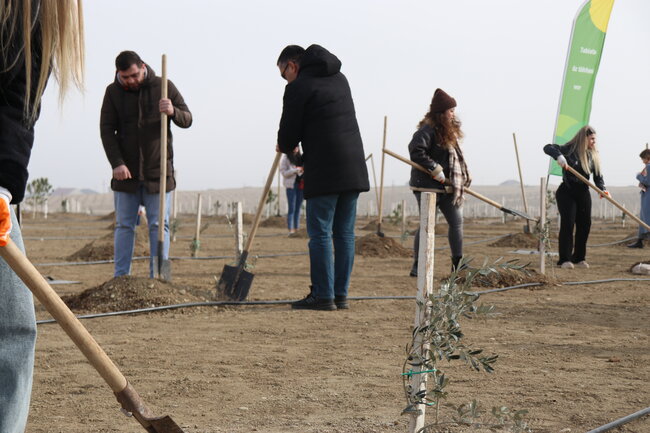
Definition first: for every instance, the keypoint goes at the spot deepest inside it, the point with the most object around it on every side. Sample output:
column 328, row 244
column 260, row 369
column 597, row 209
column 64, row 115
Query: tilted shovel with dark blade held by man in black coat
column 235, row 281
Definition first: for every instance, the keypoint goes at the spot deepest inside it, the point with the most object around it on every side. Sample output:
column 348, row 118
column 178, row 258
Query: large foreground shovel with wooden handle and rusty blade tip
column 125, row 393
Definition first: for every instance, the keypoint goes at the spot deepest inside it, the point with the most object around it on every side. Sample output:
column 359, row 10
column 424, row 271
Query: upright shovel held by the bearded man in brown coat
column 162, row 266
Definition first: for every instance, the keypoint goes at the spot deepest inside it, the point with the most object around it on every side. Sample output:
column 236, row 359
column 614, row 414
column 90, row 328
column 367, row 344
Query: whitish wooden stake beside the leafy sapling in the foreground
column 423, row 302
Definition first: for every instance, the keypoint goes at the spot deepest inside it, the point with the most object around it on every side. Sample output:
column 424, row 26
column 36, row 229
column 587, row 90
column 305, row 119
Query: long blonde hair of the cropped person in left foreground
column 61, row 49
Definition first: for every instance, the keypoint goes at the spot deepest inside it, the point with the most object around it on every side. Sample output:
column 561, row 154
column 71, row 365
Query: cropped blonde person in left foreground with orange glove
column 38, row 37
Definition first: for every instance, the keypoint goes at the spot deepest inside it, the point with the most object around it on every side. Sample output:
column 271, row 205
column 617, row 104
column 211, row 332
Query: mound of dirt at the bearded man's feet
column 130, row 293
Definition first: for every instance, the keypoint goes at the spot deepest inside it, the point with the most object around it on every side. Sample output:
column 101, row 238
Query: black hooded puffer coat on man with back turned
column 318, row 112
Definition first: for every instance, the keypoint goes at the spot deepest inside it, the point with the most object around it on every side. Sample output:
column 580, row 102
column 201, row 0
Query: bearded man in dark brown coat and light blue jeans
column 130, row 131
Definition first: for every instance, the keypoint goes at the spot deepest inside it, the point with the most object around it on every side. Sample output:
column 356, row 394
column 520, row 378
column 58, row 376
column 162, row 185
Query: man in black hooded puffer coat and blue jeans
column 318, row 113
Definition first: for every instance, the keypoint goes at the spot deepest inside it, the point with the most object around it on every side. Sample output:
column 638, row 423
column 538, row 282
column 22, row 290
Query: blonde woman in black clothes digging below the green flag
column 573, row 198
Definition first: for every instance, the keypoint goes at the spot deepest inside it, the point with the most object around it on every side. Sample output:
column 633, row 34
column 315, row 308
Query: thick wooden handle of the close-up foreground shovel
column 64, row 317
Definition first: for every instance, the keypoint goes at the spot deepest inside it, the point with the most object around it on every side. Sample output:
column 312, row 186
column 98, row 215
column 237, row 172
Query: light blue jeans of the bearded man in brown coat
column 126, row 216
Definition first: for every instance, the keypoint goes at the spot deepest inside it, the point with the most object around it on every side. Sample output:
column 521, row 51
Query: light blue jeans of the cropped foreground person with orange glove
column 17, row 340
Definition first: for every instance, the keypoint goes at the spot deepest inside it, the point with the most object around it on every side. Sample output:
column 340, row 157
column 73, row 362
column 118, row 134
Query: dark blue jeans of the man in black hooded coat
column 330, row 223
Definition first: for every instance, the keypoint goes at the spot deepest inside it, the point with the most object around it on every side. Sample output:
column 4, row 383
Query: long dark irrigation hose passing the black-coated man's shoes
column 289, row 301
